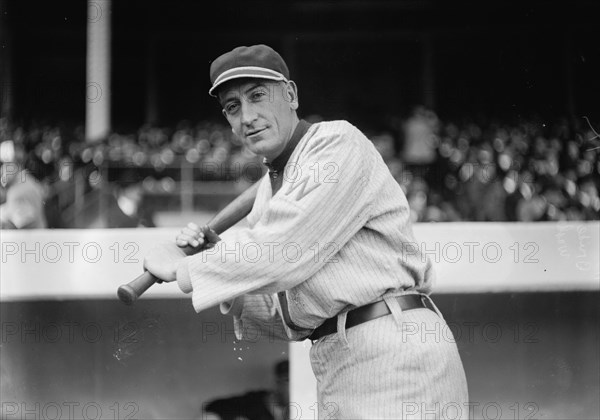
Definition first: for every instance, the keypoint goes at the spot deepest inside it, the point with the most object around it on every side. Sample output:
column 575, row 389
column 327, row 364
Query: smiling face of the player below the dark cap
column 262, row 113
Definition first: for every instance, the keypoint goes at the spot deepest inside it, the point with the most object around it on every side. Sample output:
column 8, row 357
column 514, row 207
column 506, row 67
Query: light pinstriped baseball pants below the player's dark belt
column 401, row 366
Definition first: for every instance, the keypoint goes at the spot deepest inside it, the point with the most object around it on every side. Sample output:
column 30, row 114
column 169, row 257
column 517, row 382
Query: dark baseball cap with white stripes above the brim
column 256, row 61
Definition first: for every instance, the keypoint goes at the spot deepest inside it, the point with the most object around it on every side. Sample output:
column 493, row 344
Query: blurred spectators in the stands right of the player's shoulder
column 495, row 171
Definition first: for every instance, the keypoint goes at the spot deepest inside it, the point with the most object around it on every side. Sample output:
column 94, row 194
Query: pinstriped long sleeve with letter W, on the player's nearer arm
column 322, row 203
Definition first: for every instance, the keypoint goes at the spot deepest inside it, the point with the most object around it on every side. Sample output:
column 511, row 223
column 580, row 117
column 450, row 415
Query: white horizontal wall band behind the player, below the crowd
column 470, row 258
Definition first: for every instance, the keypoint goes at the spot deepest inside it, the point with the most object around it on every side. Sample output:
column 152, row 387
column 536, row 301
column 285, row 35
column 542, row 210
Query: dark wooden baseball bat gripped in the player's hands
column 229, row 216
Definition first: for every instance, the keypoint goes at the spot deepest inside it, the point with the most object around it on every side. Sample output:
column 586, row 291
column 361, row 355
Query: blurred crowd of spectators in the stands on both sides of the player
column 450, row 171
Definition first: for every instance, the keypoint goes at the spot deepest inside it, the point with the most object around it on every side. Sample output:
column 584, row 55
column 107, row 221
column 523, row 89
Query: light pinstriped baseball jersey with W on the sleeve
column 332, row 237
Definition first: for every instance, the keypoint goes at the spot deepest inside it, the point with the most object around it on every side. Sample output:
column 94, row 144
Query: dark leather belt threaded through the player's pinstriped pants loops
column 371, row 311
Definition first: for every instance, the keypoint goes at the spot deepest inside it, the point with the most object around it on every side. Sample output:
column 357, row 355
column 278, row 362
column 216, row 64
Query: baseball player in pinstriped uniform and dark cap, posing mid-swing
column 323, row 256
